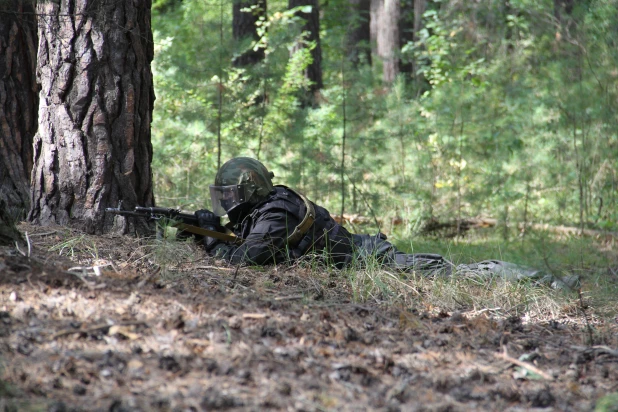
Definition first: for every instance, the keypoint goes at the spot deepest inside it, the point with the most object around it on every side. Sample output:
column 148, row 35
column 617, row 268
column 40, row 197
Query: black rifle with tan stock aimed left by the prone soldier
column 187, row 222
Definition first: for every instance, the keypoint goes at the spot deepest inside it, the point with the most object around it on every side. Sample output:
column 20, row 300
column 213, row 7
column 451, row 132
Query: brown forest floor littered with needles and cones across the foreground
column 91, row 323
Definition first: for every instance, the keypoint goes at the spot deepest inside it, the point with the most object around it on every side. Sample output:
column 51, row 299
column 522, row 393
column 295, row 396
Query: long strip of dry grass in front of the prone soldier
column 171, row 261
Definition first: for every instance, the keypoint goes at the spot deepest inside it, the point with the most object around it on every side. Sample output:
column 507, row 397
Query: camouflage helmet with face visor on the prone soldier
column 240, row 181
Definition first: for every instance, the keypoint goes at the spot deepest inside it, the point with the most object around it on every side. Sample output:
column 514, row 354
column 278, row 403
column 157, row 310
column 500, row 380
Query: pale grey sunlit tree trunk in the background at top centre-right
column 385, row 31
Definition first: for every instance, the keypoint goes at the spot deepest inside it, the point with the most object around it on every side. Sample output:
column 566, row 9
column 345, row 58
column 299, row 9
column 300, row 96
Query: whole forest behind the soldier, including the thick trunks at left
column 406, row 113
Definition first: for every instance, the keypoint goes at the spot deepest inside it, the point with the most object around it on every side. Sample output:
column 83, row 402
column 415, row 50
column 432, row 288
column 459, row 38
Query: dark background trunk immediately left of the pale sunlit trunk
column 358, row 39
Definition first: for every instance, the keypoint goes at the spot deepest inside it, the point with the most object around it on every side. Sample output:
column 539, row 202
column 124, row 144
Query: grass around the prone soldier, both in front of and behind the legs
column 168, row 261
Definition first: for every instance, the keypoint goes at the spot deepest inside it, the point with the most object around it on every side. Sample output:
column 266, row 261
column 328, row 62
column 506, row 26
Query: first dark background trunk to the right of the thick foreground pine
column 244, row 26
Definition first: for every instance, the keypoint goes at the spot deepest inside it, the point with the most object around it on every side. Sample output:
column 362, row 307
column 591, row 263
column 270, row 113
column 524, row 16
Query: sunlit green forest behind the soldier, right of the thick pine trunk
column 502, row 109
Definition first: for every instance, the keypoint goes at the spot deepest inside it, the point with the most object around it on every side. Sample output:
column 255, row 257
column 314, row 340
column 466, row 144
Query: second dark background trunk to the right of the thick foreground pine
column 313, row 72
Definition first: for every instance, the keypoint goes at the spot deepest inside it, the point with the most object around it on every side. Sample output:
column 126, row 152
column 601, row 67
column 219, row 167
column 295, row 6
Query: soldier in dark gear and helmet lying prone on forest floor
column 279, row 225
